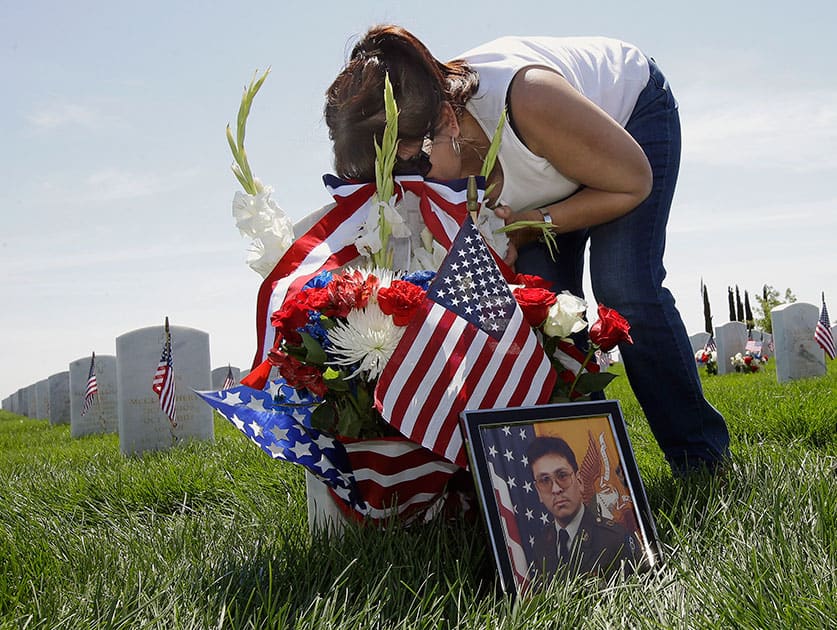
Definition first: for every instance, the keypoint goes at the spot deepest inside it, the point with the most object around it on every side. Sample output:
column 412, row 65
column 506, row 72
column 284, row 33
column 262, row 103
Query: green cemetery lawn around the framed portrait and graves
column 215, row 535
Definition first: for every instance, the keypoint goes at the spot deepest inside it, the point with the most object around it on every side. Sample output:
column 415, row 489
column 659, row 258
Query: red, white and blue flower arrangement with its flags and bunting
column 369, row 364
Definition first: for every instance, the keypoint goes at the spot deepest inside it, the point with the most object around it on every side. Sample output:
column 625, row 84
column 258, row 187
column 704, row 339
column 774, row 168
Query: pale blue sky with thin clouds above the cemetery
column 115, row 187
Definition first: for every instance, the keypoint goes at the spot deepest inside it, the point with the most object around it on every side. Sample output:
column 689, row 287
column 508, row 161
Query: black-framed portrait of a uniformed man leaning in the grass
column 560, row 492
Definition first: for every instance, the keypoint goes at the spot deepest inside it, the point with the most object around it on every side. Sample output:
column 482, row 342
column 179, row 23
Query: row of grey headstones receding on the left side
column 125, row 402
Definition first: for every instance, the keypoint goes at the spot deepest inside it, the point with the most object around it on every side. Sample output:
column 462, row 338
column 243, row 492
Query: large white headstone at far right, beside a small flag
column 797, row 354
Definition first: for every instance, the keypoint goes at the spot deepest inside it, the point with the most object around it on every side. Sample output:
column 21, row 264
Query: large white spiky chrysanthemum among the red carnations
column 368, row 338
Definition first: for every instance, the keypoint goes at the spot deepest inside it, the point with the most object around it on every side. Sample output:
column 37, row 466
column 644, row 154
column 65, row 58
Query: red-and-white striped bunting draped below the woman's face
column 329, row 243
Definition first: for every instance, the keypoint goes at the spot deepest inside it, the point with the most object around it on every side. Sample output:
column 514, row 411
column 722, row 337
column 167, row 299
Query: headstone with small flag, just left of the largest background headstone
column 102, row 417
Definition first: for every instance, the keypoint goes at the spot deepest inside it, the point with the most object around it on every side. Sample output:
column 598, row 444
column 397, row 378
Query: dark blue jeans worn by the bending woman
column 627, row 272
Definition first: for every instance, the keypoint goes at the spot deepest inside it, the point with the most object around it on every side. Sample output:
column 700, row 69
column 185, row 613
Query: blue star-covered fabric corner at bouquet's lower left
column 276, row 419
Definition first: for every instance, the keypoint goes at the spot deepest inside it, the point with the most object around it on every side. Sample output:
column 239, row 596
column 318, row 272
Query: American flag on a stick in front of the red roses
column 469, row 347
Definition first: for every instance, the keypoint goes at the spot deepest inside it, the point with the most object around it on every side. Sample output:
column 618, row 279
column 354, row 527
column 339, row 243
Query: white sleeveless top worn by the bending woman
column 609, row 72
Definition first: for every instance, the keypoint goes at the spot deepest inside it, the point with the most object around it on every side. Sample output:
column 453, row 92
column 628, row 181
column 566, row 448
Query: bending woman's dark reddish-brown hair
column 354, row 109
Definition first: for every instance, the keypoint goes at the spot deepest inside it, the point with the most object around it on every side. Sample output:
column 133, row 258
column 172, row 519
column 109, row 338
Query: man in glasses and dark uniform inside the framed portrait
column 577, row 540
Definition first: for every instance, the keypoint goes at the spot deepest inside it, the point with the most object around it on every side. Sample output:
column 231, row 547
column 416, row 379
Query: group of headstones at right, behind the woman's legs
column 793, row 347
